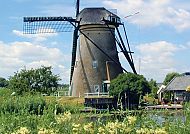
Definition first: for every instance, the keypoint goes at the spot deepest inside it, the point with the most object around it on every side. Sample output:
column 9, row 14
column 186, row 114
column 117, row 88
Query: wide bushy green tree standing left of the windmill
column 34, row 80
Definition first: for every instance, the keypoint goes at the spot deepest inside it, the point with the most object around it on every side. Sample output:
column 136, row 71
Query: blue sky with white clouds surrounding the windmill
column 158, row 35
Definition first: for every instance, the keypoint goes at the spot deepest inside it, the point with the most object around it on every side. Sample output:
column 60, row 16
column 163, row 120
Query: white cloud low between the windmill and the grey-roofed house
column 156, row 59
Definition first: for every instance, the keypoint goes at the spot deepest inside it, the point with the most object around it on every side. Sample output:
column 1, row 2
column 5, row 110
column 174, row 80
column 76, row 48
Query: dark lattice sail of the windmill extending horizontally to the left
column 37, row 25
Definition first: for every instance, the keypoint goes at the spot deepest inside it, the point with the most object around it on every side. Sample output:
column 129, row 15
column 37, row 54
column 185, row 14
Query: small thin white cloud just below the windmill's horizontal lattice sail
column 35, row 37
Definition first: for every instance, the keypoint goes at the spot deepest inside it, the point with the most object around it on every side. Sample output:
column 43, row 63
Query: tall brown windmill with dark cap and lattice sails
column 95, row 58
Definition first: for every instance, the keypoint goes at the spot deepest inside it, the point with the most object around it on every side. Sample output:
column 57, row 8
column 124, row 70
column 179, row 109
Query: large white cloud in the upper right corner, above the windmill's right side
column 153, row 12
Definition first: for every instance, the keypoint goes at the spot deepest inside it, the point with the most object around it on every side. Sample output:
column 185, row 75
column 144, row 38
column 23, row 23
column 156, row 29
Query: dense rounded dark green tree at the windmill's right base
column 129, row 87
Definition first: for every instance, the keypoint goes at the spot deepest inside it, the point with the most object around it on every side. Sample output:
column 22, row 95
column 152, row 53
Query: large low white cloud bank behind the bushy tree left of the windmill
column 17, row 55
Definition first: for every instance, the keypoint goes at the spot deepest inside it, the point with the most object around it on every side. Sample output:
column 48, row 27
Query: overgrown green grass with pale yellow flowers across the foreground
column 43, row 114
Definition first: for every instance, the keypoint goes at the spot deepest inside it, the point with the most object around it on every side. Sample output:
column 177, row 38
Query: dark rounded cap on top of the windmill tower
column 95, row 16
